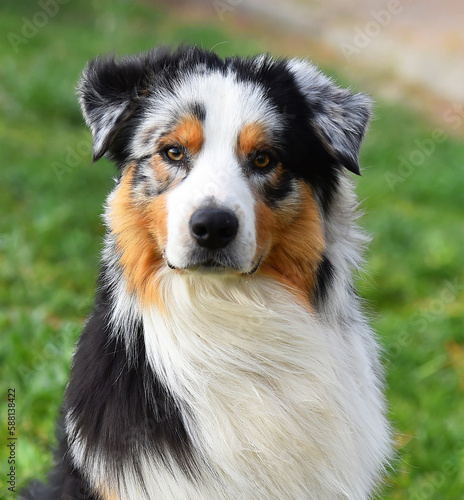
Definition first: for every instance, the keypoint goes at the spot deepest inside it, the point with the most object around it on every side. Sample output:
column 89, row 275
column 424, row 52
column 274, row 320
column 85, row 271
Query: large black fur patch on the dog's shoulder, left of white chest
column 117, row 404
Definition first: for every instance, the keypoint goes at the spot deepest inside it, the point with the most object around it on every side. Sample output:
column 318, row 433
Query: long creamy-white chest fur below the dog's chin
column 278, row 405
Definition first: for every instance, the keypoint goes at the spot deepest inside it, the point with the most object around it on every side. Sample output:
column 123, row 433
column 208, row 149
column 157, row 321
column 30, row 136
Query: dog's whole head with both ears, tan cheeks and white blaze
column 226, row 166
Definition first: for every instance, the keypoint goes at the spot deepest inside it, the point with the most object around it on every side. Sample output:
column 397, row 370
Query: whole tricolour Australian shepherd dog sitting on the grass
column 227, row 355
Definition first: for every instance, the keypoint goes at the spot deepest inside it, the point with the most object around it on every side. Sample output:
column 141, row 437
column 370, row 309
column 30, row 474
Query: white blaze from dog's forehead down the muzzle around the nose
column 217, row 176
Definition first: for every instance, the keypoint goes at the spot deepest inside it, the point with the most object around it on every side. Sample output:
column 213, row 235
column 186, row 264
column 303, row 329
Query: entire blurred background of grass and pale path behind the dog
column 408, row 54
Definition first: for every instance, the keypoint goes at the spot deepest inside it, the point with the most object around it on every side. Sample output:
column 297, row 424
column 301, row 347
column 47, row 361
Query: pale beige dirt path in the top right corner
column 407, row 50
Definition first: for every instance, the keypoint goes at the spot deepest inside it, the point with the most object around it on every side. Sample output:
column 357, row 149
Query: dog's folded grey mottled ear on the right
column 339, row 117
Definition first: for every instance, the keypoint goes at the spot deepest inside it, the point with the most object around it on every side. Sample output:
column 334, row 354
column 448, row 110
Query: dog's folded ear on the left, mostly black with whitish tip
column 108, row 94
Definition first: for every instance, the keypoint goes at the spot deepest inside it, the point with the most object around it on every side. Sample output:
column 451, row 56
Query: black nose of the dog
column 213, row 228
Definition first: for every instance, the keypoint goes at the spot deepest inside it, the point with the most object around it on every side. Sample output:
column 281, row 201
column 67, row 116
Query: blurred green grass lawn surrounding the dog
column 50, row 236
